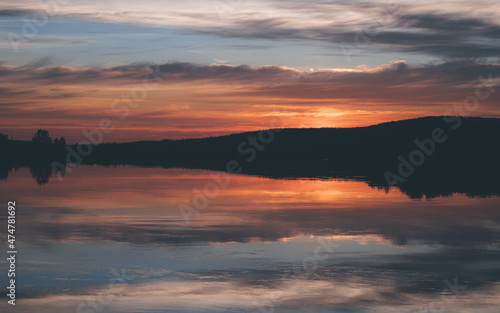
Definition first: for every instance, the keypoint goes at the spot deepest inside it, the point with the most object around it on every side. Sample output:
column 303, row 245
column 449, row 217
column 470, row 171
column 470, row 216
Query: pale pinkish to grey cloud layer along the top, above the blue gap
column 433, row 29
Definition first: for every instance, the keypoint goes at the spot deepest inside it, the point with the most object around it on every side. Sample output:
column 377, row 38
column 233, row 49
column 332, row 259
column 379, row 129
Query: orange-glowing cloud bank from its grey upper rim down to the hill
column 239, row 98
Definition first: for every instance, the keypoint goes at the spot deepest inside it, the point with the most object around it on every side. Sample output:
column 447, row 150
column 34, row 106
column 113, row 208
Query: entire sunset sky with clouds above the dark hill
column 180, row 69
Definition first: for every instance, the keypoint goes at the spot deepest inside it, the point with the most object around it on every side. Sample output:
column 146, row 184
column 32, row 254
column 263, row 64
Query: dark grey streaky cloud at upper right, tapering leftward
column 444, row 36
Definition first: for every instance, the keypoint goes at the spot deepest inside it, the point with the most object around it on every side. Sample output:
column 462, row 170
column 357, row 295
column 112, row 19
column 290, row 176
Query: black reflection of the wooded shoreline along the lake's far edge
column 423, row 185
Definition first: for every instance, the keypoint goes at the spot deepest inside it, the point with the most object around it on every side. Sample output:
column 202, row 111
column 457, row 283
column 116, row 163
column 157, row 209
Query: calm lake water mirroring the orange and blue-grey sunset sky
column 115, row 240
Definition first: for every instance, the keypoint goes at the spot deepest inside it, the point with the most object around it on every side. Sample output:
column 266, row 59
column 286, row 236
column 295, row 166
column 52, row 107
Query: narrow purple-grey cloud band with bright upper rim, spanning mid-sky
column 397, row 73
